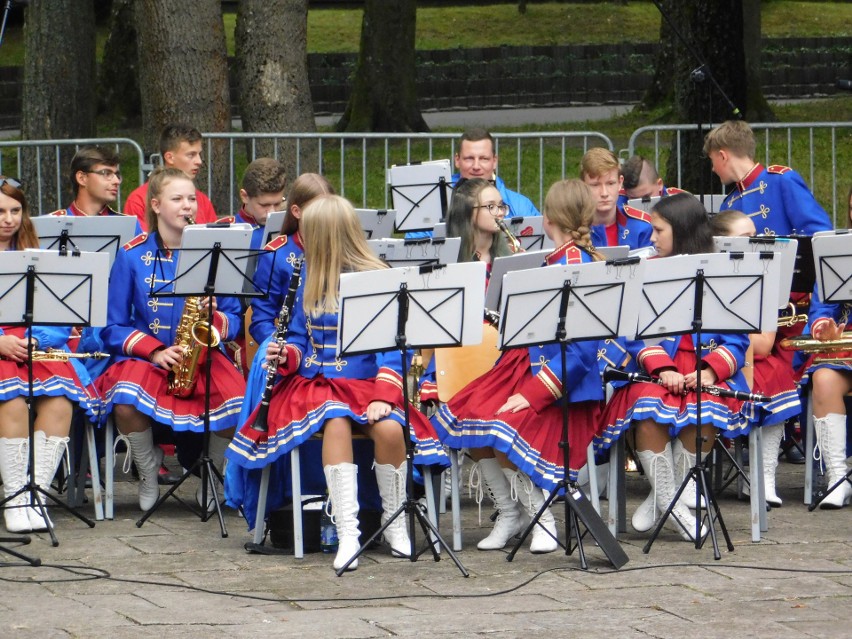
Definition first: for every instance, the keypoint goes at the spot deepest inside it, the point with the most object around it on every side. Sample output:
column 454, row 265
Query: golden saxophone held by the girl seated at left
column 192, row 335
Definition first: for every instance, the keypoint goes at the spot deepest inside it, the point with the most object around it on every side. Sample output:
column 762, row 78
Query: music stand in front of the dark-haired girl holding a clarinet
column 717, row 293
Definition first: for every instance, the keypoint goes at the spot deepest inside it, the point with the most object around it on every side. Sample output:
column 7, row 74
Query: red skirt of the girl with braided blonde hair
column 529, row 439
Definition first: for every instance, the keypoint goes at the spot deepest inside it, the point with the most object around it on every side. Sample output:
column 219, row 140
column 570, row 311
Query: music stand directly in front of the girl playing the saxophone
column 213, row 260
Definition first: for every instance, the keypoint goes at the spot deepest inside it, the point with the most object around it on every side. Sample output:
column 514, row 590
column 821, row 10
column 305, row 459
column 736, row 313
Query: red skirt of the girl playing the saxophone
column 141, row 384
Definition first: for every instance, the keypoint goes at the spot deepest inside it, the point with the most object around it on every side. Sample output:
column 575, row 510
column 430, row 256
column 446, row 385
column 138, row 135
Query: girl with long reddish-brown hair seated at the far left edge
column 56, row 385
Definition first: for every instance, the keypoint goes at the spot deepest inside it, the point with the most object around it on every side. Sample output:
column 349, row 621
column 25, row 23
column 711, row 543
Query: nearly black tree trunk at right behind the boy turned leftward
column 704, row 101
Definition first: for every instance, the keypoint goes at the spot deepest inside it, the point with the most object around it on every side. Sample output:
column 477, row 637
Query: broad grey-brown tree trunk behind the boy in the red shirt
column 183, row 77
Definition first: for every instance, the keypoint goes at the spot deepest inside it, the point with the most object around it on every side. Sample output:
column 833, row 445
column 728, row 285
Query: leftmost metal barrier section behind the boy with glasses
column 46, row 164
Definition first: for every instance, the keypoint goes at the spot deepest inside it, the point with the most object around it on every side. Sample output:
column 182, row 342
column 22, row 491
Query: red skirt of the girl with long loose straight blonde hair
column 299, row 408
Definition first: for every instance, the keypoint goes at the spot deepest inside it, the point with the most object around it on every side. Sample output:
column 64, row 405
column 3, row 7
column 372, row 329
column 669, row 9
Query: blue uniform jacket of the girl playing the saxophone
column 138, row 324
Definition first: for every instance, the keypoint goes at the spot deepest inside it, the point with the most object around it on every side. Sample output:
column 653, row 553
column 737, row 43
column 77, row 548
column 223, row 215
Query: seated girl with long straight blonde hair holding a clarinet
column 322, row 391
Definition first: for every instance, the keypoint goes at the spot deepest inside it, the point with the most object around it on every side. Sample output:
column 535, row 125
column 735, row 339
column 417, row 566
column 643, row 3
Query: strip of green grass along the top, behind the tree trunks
column 338, row 30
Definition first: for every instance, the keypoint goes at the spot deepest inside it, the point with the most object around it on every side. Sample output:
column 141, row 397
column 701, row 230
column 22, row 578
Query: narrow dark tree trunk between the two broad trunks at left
column 118, row 75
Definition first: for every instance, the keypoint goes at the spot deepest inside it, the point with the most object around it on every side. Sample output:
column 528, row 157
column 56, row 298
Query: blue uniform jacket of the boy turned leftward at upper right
column 778, row 201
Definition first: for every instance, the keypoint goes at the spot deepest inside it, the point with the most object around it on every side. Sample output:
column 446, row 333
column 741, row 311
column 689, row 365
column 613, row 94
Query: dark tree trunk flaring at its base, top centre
column 384, row 92
